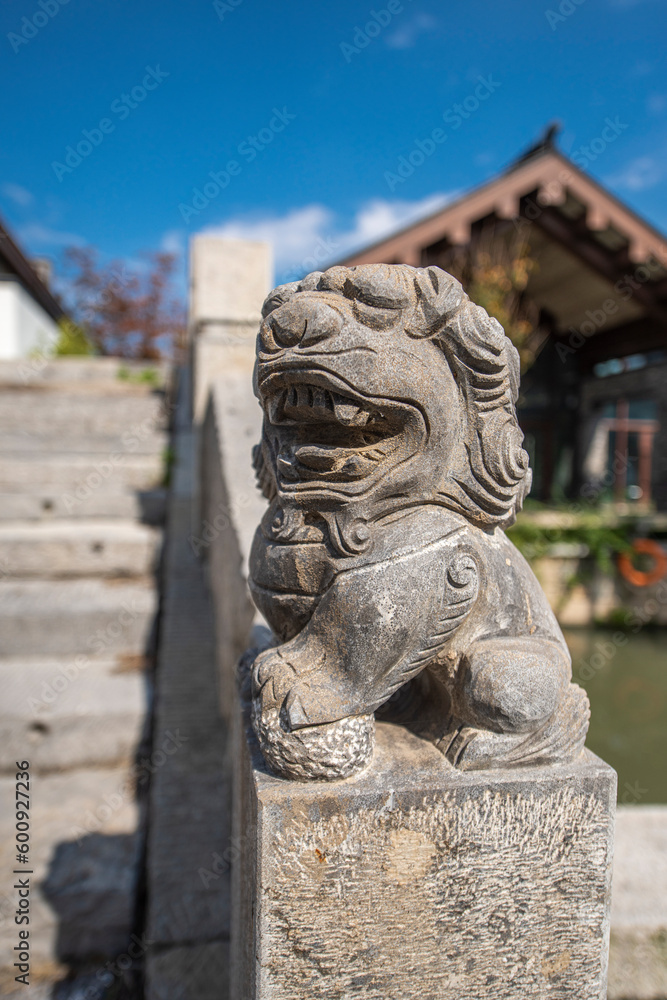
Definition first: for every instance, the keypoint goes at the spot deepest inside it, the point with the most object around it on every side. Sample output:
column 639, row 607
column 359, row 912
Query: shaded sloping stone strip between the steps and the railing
column 187, row 876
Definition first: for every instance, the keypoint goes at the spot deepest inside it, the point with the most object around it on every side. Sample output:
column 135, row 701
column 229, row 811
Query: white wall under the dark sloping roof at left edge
column 24, row 326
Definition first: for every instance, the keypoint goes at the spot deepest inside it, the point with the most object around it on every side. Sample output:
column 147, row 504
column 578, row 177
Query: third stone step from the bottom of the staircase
column 75, row 616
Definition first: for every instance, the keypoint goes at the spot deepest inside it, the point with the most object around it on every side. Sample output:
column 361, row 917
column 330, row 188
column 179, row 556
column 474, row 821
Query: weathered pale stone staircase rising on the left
column 83, row 444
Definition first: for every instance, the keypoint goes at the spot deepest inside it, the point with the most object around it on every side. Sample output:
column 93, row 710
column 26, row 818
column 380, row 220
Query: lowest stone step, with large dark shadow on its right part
column 84, row 859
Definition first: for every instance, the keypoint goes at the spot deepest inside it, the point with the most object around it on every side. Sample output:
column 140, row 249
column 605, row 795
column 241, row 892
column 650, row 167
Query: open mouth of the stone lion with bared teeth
column 318, row 431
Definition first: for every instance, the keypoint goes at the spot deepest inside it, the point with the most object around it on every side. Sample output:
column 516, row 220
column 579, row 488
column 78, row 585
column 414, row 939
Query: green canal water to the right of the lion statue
column 625, row 676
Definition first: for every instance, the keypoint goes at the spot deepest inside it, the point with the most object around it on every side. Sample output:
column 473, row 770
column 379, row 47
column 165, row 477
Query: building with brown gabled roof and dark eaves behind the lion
column 593, row 405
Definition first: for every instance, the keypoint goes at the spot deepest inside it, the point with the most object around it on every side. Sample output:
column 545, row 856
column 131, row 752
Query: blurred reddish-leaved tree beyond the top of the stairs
column 126, row 313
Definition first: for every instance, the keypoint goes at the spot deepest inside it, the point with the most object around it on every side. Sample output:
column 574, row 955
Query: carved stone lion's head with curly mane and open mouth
column 384, row 387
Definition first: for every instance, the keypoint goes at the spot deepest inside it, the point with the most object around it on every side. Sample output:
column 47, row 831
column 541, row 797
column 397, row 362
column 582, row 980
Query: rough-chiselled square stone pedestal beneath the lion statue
column 413, row 880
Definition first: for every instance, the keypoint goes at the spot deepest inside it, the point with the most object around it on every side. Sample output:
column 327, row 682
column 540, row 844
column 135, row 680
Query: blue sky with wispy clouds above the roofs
column 310, row 111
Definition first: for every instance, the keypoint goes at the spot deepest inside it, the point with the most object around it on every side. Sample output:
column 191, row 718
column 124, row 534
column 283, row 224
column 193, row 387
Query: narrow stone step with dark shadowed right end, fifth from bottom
column 143, row 505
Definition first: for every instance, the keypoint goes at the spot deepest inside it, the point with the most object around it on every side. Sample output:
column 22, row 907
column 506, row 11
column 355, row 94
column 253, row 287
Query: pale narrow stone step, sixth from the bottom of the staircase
column 79, row 475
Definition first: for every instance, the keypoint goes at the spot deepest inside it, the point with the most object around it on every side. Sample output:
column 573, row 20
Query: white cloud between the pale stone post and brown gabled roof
column 309, row 238
